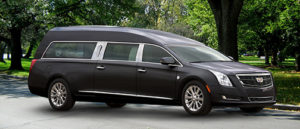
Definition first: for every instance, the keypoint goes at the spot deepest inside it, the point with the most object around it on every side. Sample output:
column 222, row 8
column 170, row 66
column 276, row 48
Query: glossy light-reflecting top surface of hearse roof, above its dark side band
column 160, row 36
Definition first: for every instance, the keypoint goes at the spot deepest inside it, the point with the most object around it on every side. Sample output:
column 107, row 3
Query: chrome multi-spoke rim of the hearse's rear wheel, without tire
column 58, row 94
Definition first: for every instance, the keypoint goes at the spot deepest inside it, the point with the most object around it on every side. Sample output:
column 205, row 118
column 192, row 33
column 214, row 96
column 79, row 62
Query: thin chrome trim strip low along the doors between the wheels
column 124, row 94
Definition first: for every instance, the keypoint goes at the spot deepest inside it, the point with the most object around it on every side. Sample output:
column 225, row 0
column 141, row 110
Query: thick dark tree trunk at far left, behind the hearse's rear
column 16, row 49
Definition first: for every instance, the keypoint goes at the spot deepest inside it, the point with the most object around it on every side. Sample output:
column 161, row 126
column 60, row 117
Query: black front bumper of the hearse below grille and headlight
column 241, row 96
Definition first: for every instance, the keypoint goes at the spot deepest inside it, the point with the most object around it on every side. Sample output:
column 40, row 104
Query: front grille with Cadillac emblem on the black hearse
column 255, row 80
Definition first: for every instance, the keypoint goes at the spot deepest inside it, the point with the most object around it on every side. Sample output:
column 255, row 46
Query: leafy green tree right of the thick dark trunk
column 275, row 25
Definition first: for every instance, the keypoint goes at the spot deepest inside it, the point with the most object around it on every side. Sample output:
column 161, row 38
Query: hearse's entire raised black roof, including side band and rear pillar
column 112, row 34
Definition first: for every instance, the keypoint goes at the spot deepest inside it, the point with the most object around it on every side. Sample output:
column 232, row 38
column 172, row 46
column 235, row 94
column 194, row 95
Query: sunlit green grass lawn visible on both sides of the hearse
column 287, row 80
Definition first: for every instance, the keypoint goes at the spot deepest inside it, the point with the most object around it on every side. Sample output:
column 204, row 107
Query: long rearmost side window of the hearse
column 82, row 50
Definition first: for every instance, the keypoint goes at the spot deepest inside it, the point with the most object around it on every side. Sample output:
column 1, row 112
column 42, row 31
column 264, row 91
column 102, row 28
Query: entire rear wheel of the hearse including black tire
column 60, row 96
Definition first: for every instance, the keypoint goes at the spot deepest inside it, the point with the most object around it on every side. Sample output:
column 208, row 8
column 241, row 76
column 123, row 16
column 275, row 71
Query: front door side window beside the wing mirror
column 153, row 54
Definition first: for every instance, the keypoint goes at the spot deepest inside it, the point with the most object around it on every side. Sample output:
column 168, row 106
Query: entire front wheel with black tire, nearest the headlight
column 191, row 92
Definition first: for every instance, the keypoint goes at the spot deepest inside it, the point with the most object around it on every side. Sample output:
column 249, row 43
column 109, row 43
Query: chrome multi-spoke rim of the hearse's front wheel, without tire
column 193, row 98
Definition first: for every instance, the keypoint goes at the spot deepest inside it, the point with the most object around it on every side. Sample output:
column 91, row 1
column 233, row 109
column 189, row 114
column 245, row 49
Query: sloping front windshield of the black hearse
column 194, row 54
